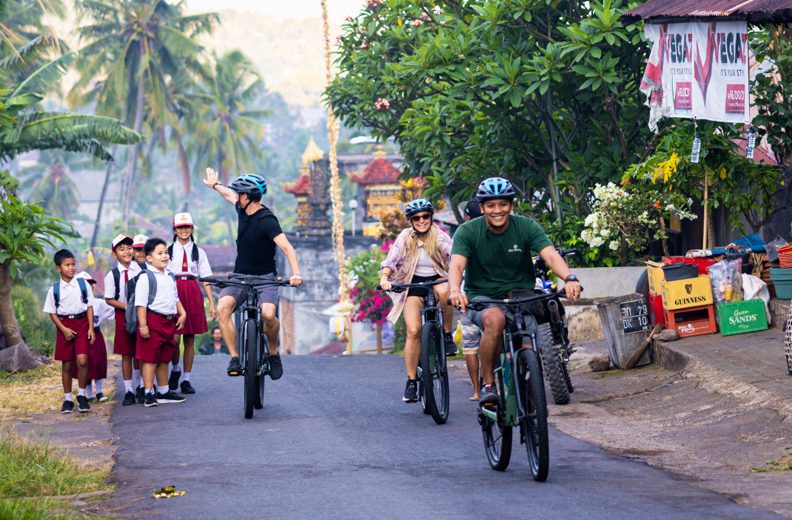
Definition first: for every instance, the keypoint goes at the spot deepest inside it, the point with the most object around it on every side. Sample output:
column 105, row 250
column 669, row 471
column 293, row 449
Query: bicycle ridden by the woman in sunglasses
column 432, row 368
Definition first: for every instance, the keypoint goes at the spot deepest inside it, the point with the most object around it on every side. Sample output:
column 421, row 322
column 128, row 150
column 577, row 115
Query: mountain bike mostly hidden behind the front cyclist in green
column 556, row 356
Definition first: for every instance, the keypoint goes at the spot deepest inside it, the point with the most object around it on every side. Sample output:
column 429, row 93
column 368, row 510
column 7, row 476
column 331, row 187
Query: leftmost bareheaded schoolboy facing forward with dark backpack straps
column 70, row 306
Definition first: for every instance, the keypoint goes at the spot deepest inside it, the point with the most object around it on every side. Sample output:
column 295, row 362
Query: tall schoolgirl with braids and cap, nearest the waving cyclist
column 188, row 262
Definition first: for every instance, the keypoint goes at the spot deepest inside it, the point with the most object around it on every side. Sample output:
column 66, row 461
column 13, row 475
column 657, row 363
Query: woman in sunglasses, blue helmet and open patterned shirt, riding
column 421, row 253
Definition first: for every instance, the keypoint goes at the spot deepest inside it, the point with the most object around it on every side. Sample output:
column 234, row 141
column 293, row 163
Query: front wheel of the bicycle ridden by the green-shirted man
column 534, row 423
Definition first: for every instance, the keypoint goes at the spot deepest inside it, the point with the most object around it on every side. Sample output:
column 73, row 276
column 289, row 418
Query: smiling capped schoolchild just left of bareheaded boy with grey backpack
column 115, row 296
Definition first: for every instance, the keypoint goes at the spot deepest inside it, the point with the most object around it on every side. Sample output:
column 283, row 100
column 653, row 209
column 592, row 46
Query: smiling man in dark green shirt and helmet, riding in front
column 494, row 253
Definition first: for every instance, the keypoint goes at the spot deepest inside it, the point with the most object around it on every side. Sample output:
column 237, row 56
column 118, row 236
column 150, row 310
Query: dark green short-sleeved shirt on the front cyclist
column 501, row 263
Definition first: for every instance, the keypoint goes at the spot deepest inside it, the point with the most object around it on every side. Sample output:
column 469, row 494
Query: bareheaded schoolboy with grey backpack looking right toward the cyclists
column 158, row 321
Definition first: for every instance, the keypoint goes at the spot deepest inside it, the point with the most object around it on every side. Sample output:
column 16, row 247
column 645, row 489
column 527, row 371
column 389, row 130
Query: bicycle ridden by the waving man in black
column 252, row 343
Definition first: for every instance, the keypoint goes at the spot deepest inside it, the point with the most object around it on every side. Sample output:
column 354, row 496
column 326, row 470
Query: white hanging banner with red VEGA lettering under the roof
column 697, row 70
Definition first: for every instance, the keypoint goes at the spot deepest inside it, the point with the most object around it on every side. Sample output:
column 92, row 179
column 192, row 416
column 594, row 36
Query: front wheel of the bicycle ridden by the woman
column 434, row 375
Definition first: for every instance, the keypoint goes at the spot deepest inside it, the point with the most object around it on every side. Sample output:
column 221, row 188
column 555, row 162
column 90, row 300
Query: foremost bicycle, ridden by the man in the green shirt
column 520, row 387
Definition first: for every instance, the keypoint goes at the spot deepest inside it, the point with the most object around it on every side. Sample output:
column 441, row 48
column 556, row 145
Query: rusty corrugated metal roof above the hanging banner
column 756, row 11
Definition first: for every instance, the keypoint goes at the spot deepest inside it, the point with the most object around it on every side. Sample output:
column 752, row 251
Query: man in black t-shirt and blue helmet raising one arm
column 258, row 233
